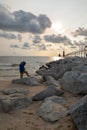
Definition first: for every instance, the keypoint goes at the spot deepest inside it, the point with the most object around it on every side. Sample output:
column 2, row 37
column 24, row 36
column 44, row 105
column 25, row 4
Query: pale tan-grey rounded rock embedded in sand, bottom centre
column 52, row 109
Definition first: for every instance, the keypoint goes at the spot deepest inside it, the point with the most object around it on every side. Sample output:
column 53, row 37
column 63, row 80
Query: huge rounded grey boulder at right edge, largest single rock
column 74, row 82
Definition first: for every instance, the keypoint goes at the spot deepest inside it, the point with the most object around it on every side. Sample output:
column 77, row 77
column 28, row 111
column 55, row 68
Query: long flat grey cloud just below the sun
column 57, row 39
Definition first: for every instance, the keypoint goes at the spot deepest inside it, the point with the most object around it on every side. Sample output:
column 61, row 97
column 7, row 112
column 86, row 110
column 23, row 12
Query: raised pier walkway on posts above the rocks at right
column 80, row 53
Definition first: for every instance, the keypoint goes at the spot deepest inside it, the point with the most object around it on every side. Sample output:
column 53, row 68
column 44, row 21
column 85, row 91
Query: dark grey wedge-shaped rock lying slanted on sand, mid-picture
column 50, row 91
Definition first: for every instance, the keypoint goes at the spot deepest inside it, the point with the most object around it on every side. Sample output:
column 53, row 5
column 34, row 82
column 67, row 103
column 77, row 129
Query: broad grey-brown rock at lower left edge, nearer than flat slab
column 14, row 101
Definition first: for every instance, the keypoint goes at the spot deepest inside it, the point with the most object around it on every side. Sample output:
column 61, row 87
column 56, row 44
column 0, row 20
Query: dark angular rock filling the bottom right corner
column 79, row 113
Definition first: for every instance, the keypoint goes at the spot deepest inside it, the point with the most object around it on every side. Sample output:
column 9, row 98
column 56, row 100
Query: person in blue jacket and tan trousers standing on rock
column 22, row 69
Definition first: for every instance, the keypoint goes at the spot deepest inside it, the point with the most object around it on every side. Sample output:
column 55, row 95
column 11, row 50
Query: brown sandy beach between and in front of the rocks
column 27, row 118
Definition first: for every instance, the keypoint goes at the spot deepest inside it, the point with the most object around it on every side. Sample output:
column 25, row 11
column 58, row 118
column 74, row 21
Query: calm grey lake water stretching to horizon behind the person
column 9, row 65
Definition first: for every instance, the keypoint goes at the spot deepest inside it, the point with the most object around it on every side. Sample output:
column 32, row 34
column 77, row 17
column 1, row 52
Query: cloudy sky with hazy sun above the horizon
column 42, row 27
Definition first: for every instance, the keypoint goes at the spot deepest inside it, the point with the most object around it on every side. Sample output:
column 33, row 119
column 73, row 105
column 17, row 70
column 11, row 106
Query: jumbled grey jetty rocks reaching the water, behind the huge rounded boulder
column 56, row 69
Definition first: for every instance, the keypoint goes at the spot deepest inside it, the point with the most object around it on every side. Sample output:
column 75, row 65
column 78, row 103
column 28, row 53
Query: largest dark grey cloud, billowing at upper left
column 22, row 21
